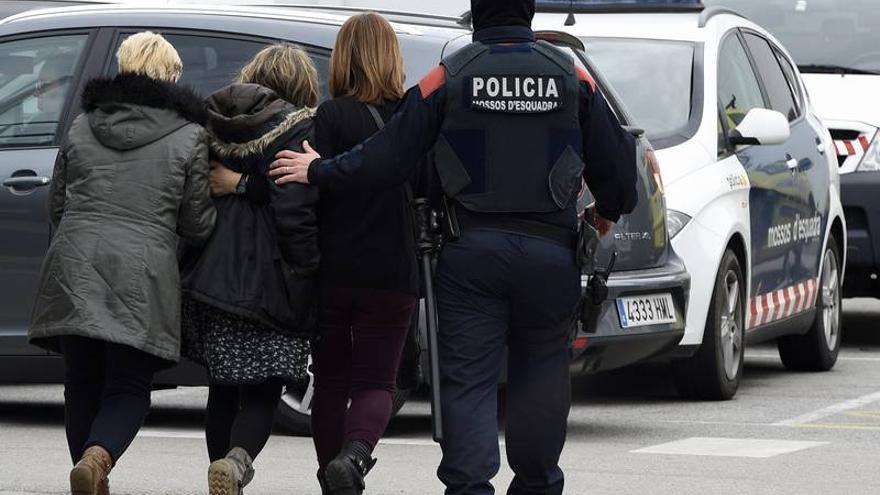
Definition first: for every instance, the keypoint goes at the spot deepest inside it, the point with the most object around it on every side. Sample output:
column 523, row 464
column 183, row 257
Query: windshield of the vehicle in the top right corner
column 823, row 36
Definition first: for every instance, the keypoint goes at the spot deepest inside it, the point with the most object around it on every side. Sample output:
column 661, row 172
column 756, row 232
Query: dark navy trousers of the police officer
column 494, row 290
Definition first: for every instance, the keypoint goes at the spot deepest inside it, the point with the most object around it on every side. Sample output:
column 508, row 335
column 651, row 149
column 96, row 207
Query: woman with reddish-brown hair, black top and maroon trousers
column 369, row 274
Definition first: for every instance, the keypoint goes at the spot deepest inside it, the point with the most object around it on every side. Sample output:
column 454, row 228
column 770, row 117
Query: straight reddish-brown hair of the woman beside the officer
column 366, row 62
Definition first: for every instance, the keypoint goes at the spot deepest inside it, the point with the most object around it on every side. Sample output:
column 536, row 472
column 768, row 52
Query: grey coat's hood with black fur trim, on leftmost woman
column 130, row 111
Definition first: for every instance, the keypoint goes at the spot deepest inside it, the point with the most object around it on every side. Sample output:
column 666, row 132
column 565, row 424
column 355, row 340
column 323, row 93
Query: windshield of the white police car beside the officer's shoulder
column 653, row 78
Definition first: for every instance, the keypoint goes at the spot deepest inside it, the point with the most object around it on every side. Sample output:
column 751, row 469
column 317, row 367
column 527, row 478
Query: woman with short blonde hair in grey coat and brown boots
column 131, row 182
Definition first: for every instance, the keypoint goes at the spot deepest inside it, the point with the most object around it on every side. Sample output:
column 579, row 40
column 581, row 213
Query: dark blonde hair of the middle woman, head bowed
column 287, row 70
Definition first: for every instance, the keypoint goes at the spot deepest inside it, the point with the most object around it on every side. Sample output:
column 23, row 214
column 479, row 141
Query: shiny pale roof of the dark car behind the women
column 236, row 18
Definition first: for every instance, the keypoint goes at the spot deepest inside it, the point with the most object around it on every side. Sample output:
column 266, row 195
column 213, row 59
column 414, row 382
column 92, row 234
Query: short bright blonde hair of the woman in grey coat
column 151, row 55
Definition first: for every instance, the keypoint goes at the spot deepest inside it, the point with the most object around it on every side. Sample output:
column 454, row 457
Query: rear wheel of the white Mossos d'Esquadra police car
column 817, row 349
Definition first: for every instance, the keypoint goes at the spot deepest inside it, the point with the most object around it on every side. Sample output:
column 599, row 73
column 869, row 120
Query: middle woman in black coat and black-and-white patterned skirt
column 249, row 305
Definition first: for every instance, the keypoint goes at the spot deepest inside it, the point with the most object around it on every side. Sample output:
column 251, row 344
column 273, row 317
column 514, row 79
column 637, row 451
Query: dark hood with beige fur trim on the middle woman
column 245, row 120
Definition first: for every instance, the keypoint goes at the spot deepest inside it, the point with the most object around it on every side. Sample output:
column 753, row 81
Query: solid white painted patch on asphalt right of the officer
column 729, row 447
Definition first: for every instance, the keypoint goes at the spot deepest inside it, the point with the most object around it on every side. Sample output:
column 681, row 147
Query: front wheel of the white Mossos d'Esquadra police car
column 714, row 372
